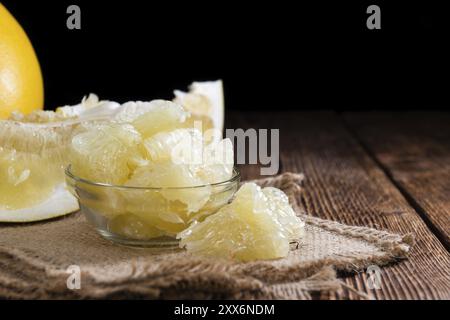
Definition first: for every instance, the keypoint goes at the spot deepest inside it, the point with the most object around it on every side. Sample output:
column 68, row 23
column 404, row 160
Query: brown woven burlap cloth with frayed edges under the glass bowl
column 34, row 259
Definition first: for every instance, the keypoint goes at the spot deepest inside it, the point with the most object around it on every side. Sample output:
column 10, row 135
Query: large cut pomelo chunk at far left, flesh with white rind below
column 32, row 158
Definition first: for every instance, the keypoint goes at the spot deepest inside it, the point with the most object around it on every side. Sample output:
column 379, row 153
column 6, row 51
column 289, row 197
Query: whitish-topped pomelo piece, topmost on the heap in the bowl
column 152, row 117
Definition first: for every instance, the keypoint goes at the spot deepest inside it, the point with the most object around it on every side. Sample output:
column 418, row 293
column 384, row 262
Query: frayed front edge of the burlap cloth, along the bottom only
column 26, row 277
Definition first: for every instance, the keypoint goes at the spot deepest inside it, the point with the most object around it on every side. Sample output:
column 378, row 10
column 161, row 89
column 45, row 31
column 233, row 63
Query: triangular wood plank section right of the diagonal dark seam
column 414, row 150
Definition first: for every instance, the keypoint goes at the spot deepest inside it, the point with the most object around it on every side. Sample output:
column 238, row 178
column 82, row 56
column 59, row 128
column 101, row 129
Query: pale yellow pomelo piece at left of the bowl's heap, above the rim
column 101, row 154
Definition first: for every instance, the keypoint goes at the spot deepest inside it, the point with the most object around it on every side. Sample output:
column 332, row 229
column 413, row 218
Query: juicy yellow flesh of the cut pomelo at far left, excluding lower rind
column 32, row 157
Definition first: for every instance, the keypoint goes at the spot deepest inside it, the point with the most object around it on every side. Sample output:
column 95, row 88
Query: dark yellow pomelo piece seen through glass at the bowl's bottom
column 131, row 226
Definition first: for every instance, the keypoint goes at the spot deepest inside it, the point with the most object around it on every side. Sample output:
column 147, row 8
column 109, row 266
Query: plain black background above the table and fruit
column 284, row 55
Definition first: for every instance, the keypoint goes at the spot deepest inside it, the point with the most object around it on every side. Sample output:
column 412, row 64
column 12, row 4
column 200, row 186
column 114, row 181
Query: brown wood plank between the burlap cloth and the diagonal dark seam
column 344, row 184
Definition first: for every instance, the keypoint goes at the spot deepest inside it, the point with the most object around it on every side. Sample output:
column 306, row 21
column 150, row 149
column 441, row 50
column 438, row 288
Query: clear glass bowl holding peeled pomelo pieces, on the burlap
column 147, row 217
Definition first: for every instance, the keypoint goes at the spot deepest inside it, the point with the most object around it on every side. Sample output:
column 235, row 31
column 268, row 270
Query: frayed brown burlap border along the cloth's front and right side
column 21, row 273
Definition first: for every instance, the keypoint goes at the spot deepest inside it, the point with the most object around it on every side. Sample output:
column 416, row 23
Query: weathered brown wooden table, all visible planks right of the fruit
column 389, row 171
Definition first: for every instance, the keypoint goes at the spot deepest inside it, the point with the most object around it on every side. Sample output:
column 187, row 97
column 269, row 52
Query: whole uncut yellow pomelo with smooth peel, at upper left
column 21, row 85
